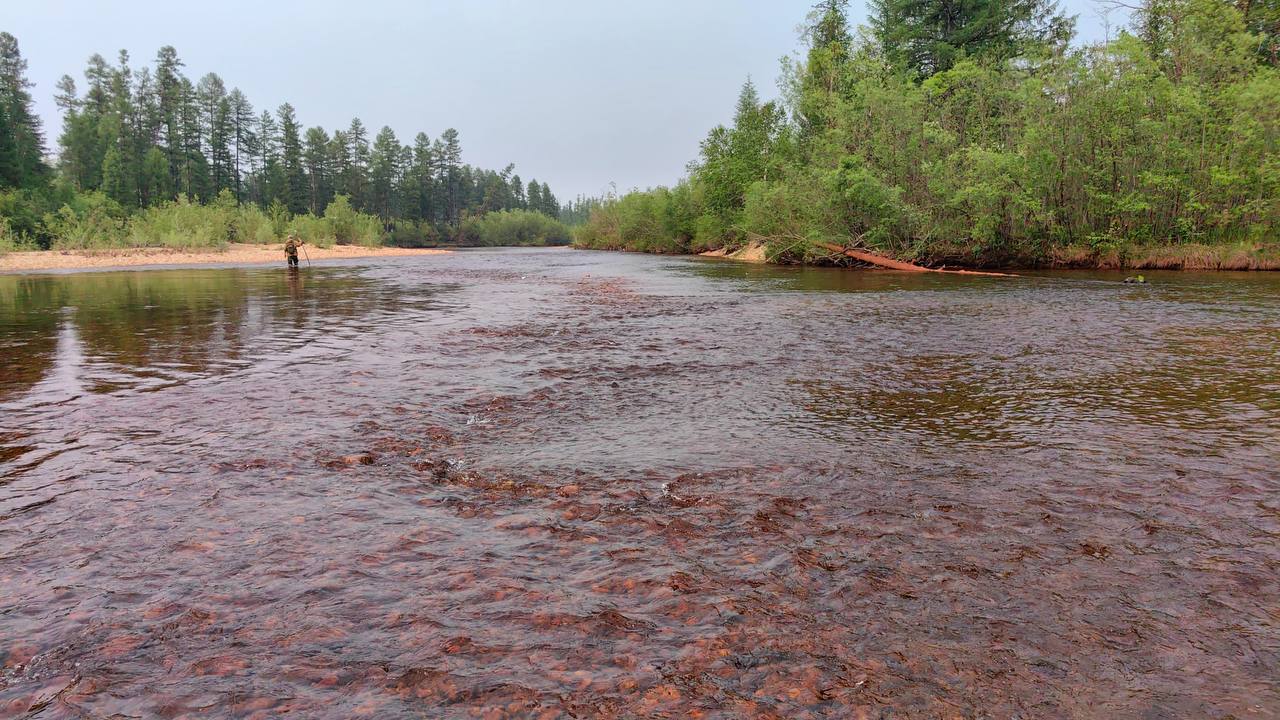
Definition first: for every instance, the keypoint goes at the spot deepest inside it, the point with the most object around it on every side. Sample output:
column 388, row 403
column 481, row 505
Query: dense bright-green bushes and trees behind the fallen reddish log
column 976, row 133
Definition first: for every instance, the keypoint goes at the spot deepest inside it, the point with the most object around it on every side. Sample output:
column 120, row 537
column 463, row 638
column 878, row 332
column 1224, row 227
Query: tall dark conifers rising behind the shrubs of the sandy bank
column 152, row 136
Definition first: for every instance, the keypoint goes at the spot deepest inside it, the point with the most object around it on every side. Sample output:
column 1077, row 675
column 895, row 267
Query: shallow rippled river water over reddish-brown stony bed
column 561, row 484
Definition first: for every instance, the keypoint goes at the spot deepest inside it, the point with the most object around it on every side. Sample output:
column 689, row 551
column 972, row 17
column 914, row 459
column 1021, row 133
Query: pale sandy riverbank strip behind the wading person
column 236, row 254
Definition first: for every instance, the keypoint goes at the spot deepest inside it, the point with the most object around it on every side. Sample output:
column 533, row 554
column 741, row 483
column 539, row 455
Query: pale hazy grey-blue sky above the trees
column 575, row 93
